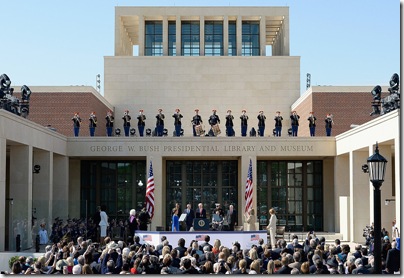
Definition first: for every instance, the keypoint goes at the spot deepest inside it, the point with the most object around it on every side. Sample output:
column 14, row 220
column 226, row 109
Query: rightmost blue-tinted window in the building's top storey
column 250, row 38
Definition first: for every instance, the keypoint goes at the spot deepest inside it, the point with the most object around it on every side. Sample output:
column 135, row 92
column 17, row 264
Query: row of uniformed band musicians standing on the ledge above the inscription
column 197, row 124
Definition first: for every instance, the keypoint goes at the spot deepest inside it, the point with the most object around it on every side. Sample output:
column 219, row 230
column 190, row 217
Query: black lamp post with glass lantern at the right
column 377, row 168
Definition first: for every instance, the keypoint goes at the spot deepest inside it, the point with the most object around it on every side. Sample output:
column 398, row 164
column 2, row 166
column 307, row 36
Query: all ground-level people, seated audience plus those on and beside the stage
column 74, row 252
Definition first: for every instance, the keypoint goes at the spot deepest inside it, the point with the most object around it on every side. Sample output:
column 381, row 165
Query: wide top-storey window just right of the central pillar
column 213, row 38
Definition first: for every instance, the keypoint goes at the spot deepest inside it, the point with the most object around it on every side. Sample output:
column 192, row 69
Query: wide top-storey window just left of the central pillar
column 190, row 38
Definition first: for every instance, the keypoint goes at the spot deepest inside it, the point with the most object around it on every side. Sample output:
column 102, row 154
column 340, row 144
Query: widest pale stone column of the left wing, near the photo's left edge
column 21, row 191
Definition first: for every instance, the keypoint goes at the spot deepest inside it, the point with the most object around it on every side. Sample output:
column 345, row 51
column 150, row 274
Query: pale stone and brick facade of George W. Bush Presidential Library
column 220, row 62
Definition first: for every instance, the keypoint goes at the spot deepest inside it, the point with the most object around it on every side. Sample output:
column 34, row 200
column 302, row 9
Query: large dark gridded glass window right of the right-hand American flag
column 294, row 189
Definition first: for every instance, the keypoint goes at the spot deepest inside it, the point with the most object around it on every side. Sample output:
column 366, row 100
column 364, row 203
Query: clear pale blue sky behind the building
column 63, row 43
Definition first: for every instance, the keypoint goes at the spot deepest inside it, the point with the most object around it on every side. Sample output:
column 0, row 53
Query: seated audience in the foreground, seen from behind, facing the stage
column 310, row 256
